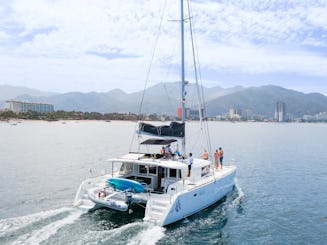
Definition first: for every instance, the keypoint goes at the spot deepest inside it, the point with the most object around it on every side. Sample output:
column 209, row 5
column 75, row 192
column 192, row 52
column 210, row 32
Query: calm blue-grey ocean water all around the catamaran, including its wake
column 280, row 196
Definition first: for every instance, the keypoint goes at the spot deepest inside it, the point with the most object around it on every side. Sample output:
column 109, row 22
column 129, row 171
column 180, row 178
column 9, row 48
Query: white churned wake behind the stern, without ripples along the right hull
column 69, row 225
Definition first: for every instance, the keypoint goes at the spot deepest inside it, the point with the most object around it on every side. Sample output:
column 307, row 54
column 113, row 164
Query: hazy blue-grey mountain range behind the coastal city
column 163, row 98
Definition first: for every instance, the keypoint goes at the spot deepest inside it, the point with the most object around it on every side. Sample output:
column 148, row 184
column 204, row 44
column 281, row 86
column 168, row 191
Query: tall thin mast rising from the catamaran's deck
column 183, row 73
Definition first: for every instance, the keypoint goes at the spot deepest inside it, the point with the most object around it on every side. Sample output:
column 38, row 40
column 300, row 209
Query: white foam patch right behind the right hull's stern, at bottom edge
column 150, row 236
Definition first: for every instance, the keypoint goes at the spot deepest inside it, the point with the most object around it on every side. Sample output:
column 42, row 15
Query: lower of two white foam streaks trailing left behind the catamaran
column 45, row 232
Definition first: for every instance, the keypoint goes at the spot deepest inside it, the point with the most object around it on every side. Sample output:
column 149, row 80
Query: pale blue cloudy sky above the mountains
column 100, row 45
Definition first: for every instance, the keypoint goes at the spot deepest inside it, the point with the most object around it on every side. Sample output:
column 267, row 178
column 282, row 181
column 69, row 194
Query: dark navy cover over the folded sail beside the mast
column 175, row 129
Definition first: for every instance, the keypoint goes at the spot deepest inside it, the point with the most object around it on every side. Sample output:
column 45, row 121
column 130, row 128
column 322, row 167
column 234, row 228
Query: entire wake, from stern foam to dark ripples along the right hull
column 70, row 225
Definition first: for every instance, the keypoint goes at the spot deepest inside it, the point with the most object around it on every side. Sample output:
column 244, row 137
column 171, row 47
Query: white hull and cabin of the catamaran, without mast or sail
column 178, row 198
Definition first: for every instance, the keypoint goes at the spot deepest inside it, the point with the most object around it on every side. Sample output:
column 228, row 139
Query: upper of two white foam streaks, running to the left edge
column 13, row 224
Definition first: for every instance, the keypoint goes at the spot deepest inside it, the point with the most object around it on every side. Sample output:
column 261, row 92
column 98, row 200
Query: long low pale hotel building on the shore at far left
column 20, row 106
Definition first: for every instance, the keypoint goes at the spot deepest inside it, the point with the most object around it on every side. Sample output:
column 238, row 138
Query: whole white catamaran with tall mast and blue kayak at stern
column 160, row 182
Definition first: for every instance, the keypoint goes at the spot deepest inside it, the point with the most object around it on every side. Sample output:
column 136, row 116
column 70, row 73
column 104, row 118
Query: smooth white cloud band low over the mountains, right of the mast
column 260, row 60
